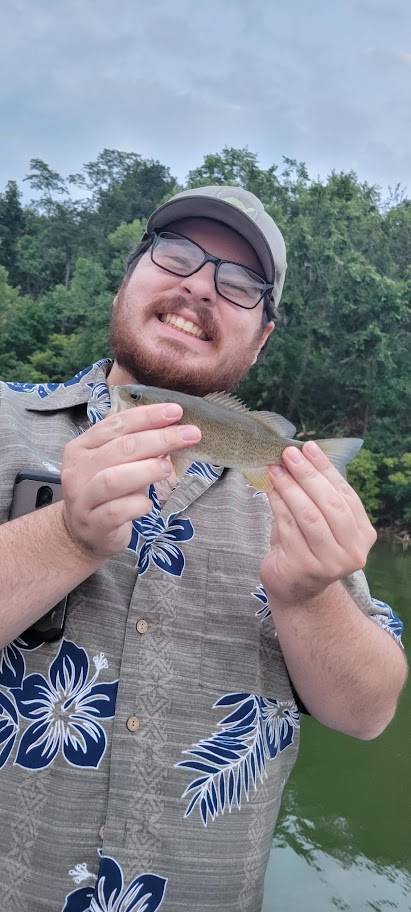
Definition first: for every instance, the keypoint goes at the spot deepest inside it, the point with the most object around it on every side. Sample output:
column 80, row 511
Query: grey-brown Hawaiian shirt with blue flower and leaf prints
column 143, row 756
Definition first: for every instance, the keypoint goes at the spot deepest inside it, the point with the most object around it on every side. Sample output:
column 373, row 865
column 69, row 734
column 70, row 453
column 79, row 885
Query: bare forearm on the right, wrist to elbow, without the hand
column 347, row 670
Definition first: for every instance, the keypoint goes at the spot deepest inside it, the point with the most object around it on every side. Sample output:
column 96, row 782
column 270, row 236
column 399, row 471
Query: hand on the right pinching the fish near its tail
column 321, row 532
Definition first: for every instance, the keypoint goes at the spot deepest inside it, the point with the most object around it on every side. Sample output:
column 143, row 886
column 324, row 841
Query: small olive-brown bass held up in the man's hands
column 232, row 435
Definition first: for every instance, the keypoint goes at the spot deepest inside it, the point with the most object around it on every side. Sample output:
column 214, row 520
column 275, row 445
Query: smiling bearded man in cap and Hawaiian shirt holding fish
column 144, row 754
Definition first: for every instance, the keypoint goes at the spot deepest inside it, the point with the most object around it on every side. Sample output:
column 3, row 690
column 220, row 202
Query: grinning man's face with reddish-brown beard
column 149, row 350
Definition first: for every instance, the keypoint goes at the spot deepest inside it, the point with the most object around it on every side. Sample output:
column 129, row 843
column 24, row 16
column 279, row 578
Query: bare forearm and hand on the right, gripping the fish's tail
column 347, row 671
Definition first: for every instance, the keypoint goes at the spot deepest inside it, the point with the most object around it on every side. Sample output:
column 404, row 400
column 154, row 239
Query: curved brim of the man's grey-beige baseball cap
column 204, row 207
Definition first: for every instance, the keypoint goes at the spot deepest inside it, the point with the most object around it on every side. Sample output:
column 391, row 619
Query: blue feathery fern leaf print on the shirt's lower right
column 232, row 760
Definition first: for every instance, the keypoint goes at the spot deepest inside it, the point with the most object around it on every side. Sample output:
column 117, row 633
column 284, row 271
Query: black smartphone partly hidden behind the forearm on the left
column 32, row 491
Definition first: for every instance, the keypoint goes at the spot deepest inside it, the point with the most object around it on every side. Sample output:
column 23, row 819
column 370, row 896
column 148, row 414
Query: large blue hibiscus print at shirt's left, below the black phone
column 64, row 710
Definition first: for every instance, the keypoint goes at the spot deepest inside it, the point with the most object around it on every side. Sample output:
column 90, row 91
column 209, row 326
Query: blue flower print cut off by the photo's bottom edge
column 144, row 894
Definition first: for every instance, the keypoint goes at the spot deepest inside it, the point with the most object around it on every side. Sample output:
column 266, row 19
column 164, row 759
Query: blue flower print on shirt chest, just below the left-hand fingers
column 154, row 539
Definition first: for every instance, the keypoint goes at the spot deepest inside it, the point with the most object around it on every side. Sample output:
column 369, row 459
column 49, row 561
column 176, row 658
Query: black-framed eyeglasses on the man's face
column 181, row 256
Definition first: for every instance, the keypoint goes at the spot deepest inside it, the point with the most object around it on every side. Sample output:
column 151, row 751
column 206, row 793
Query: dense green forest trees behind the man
column 339, row 361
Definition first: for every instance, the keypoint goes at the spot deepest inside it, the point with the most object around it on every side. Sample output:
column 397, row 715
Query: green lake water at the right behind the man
column 343, row 841
